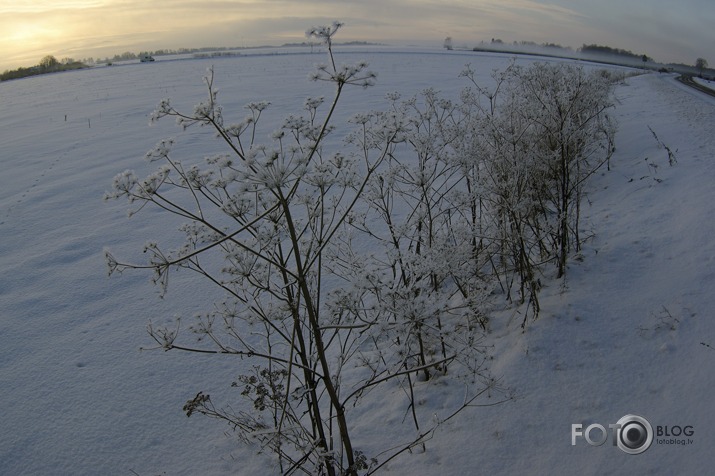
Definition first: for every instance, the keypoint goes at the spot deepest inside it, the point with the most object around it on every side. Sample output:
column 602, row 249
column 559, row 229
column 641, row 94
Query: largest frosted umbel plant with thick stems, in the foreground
column 270, row 225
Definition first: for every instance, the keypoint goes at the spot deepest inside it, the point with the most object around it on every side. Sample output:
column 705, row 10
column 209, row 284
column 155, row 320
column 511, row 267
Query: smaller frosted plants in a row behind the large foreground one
column 486, row 188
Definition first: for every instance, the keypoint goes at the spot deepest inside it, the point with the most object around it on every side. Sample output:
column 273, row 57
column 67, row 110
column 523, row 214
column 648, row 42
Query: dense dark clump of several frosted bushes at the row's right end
column 542, row 132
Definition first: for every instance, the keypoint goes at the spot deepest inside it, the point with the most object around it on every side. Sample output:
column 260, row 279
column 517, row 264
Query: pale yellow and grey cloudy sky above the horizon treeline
column 666, row 30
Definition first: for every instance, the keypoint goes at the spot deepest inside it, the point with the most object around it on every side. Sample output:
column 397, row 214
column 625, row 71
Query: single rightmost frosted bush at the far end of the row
column 569, row 112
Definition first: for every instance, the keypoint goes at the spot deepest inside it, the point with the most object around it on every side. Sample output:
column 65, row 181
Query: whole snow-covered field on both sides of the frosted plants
column 628, row 331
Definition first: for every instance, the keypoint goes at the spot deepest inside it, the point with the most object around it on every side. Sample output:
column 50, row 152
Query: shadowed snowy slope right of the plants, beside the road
column 624, row 333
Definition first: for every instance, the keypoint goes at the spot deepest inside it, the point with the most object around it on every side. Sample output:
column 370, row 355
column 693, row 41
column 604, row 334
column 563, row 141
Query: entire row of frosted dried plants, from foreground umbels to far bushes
column 455, row 200
